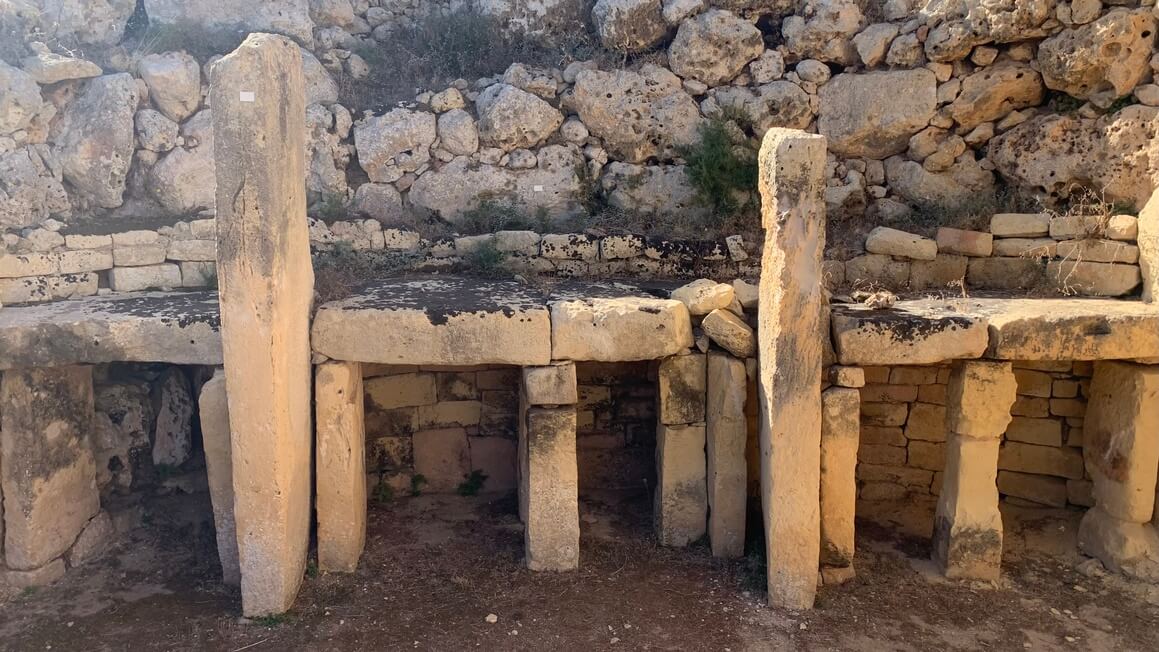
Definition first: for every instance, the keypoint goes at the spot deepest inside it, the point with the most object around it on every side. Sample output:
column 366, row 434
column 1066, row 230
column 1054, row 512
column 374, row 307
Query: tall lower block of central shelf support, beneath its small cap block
column 549, row 487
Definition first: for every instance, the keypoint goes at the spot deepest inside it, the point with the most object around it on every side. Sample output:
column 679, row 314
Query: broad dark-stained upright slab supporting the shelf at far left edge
column 47, row 470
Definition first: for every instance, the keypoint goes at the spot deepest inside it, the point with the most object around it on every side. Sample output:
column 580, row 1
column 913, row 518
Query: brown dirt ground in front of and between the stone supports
column 438, row 568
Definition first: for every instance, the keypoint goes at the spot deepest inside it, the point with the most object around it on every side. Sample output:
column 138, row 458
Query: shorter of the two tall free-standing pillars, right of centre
column 790, row 314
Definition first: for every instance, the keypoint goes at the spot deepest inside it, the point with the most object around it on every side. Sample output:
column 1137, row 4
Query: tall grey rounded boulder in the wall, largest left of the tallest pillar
column 94, row 140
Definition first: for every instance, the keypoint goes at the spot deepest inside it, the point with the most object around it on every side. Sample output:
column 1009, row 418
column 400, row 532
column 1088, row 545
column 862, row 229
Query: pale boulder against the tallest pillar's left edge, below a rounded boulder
column 184, row 182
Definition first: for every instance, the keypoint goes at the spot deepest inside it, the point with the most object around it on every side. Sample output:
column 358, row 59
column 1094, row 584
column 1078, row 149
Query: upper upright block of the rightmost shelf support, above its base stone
column 1121, row 438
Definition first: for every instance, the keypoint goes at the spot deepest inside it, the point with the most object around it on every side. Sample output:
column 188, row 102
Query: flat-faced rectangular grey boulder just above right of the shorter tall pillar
column 873, row 115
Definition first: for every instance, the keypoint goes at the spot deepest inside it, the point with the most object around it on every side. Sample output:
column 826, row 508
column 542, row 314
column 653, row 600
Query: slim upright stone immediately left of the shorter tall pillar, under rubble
column 727, row 433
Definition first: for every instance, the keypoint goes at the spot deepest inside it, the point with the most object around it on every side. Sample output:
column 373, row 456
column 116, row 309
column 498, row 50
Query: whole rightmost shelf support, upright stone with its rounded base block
column 1121, row 450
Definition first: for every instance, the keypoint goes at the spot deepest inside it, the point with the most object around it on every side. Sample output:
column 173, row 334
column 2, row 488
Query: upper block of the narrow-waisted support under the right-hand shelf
column 980, row 397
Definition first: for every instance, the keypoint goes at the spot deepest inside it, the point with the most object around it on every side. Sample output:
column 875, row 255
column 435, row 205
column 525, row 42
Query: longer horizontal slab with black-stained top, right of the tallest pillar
column 438, row 321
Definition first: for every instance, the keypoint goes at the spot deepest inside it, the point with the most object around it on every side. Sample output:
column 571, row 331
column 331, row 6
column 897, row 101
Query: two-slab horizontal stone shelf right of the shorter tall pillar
column 932, row 331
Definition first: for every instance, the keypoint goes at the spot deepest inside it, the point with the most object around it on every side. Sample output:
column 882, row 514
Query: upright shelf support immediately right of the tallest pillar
column 341, row 466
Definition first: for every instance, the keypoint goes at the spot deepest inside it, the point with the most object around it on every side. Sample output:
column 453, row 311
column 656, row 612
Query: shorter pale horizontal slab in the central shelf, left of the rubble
column 621, row 329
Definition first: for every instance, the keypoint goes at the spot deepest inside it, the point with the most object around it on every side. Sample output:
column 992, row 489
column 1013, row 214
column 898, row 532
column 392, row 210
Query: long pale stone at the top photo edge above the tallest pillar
column 290, row 18
